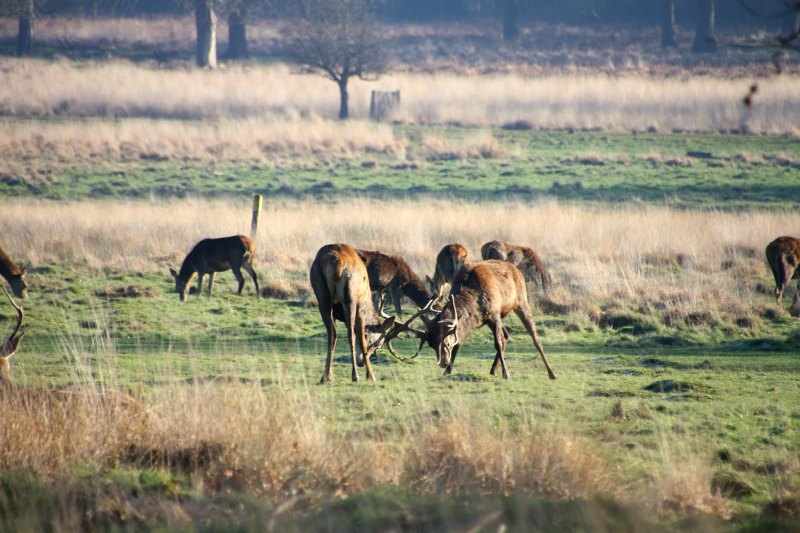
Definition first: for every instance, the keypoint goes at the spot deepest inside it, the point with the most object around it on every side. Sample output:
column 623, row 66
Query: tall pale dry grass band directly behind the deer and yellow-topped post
column 682, row 266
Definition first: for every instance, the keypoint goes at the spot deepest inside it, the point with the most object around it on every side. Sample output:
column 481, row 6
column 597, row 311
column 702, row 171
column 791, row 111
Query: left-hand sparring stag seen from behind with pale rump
column 341, row 284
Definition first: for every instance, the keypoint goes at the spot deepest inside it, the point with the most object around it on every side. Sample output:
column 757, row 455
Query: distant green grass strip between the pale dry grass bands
column 743, row 170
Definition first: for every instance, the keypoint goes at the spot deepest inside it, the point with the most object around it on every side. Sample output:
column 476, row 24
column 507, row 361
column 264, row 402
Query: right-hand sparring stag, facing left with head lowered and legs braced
column 484, row 293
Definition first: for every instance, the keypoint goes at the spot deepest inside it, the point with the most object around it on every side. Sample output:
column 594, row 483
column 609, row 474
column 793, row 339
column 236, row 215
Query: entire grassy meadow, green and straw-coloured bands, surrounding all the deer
column 647, row 187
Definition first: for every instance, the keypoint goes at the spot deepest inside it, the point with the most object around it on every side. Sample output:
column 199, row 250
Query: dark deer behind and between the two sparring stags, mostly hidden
column 393, row 274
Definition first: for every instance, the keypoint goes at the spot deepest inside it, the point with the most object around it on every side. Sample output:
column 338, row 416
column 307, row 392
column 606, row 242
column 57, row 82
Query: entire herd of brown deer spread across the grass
column 350, row 286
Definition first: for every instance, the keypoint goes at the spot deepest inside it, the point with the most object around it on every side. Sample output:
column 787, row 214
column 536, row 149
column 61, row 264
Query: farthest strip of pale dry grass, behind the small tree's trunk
column 550, row 101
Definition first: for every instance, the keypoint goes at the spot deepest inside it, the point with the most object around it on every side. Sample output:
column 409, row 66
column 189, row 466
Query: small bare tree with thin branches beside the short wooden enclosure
column 338, row 39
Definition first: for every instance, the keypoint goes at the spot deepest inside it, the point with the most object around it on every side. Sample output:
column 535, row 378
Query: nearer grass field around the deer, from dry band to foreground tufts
column 685, row 311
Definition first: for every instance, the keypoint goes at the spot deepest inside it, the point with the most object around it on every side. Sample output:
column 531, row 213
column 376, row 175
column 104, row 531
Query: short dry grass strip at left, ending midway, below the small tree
column 240, row 140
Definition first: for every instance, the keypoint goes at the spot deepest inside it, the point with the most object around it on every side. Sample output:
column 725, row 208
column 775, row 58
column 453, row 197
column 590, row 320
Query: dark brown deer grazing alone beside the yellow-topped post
column 210, row 256
